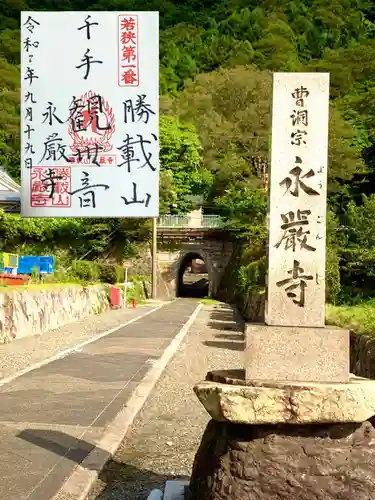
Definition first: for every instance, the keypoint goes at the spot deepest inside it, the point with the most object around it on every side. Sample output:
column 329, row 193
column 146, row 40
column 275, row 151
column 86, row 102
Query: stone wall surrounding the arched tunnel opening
column 216, row 255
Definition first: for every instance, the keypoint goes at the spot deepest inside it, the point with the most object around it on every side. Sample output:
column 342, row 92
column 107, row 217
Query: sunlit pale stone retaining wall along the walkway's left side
column 33, row 312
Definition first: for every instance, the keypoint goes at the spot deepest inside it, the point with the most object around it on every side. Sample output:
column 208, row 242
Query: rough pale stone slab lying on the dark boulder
column 295, row 403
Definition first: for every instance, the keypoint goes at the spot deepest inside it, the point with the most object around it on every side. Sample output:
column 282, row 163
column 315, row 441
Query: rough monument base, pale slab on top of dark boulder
column 296, row 441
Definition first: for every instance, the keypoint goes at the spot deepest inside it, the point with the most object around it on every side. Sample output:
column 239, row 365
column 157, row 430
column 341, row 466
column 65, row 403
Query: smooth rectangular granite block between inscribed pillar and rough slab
column 283, row 353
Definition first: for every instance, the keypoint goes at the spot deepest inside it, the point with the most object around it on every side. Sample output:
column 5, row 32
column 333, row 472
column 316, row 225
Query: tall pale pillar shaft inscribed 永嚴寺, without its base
column 297, row 202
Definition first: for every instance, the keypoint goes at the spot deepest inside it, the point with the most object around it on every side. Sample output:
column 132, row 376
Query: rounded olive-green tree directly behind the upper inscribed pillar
column 232, row 112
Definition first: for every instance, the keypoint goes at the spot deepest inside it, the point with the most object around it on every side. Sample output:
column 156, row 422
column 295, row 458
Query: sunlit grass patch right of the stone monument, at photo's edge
column 360, row 318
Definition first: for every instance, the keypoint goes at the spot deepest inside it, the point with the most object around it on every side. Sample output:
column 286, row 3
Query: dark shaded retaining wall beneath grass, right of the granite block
column 362, row 355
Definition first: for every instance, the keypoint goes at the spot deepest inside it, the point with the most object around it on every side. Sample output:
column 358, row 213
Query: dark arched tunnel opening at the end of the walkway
column 192, row 277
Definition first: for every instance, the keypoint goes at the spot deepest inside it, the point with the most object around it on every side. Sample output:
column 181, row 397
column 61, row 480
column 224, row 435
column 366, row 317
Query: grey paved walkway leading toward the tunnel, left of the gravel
column 49, row 417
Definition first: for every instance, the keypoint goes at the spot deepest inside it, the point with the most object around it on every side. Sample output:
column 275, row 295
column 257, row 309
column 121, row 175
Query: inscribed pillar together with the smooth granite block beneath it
column 293, row 344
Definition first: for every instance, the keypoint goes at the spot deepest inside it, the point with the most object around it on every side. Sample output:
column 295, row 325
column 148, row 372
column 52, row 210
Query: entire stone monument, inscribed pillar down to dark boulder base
column 293, row 424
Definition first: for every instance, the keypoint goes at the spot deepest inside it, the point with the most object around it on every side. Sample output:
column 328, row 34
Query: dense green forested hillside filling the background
column 216, row 63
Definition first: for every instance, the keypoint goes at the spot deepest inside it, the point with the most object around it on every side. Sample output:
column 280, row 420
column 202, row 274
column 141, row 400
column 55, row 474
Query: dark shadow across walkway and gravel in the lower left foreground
column 121, row 480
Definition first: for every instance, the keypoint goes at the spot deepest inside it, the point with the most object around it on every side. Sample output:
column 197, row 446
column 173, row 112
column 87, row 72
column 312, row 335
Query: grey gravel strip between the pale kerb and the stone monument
column 162, row 442
